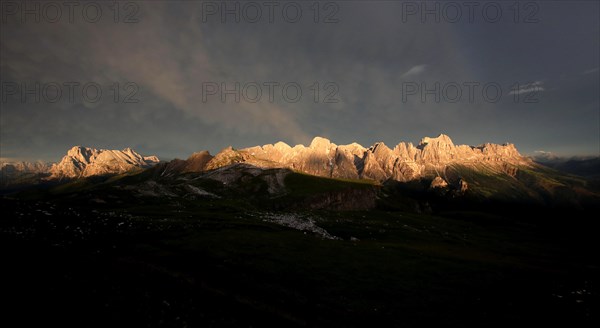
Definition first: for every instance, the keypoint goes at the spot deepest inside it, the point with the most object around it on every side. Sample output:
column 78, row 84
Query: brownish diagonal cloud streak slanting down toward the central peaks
column 171, row 59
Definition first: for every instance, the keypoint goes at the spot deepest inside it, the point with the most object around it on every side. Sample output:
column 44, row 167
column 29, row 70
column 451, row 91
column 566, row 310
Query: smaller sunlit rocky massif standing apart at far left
column 85, row 162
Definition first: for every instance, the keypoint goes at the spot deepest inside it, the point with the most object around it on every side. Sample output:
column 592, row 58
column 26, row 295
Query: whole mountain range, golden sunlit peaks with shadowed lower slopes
column 484, row 171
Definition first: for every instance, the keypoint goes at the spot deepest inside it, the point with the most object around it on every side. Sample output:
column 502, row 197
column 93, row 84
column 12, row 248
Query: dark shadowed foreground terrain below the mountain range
column 103, row 256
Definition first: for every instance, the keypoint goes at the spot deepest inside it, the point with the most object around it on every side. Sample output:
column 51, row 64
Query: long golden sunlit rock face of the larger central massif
column 404, row 162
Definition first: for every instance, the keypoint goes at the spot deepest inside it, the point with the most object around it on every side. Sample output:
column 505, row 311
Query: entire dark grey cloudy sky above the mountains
column 372, row 61
